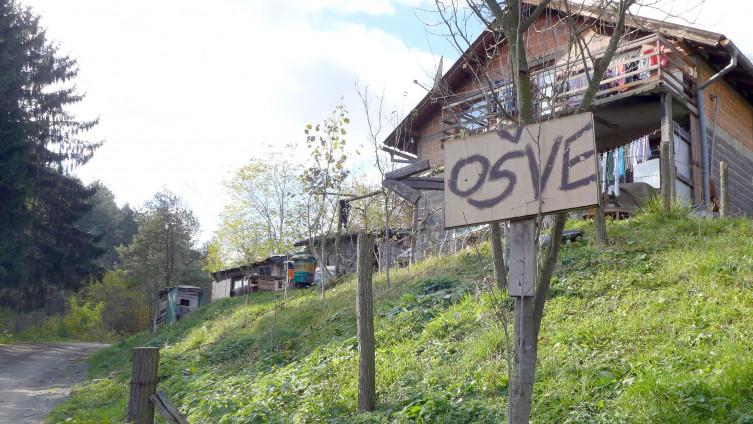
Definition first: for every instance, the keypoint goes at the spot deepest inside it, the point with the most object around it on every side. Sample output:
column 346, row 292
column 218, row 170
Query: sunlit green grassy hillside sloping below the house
column 657, row 328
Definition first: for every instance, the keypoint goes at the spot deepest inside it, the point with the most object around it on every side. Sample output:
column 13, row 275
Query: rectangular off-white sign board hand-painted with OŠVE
column 517, row 172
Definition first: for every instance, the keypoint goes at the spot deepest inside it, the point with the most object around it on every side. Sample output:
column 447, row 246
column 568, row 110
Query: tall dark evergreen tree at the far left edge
column 41, row 250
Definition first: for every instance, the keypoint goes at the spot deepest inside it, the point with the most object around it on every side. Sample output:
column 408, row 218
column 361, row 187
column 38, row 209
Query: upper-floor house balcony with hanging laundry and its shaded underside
column 626, row 106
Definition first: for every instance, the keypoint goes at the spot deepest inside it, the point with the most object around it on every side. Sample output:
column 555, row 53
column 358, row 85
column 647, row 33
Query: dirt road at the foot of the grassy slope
column 36, row 376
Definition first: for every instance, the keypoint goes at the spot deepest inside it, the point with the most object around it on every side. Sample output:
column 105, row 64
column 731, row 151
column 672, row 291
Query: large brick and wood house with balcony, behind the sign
column 667, row 84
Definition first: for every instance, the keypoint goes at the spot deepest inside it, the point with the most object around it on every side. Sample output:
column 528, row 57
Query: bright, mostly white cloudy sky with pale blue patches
column 189, row 91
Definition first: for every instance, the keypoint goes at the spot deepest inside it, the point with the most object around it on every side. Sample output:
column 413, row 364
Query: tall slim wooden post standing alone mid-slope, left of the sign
column 365, row 324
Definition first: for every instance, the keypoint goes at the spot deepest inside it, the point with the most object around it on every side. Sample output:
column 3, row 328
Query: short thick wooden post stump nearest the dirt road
column 143, row 385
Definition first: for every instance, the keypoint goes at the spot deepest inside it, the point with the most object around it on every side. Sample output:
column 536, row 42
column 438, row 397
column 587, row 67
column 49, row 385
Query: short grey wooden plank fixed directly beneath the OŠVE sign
column 522, row 276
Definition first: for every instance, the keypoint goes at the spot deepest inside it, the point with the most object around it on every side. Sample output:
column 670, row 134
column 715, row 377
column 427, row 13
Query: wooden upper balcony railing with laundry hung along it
column 559, row 88
